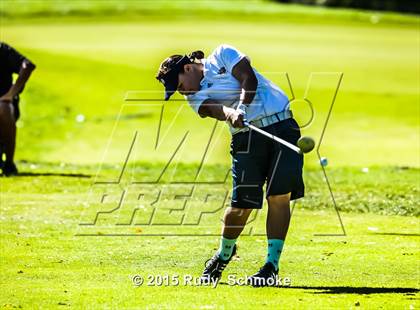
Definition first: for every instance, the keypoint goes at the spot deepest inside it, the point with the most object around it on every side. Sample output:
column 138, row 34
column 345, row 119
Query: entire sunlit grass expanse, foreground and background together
column 77, row 127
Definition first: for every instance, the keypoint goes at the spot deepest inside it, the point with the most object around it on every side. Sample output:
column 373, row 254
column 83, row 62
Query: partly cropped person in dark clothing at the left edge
column 11, row 62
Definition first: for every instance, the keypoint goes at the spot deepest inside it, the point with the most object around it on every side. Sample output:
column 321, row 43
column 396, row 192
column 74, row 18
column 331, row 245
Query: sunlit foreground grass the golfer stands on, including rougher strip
column 47, row 261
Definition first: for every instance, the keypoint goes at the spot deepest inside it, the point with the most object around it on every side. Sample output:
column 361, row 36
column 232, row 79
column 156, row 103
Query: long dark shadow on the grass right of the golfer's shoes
column 356, row 290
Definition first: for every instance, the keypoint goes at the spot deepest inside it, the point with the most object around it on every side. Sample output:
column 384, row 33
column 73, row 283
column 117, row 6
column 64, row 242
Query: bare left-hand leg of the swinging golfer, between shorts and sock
column 234, row 222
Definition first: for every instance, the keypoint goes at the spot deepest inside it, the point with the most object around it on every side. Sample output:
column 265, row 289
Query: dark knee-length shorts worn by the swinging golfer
column 258, row 160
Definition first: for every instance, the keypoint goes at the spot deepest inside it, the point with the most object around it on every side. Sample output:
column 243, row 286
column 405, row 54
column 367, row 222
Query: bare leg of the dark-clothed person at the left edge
column 7, row 130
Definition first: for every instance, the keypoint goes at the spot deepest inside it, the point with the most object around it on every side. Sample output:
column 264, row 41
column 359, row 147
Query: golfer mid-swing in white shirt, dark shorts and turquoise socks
column 224, row 86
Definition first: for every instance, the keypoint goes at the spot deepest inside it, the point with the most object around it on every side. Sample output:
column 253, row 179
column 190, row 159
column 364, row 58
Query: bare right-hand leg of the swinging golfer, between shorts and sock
column 278, row 217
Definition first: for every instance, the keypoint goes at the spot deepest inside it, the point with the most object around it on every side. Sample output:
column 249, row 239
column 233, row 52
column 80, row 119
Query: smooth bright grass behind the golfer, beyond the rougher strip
column 87, row 65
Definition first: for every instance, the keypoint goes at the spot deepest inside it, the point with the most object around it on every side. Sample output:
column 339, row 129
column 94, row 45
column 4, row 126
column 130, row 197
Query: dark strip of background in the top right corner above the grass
column 406, row 6
